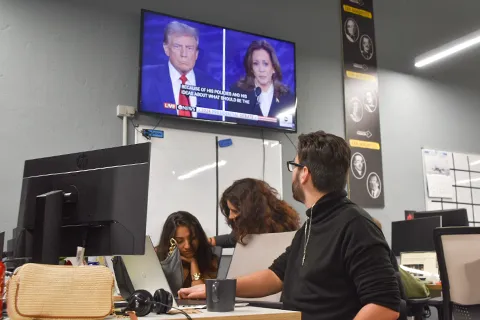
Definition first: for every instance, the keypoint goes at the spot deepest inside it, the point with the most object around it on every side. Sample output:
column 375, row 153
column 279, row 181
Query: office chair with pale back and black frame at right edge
column 458, row 254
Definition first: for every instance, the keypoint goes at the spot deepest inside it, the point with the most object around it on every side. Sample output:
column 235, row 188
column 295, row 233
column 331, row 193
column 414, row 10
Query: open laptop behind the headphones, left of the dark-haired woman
column 146, row 273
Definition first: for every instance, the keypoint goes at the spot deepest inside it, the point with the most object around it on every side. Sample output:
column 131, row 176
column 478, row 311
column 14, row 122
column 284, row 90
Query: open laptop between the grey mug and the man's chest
column 259, row 258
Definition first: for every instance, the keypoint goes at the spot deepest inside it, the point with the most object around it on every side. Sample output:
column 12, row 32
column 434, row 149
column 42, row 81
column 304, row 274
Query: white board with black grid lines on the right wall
column 461, row 190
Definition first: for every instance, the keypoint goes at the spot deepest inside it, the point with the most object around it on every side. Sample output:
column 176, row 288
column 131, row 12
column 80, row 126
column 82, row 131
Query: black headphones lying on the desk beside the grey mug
column 142, row 303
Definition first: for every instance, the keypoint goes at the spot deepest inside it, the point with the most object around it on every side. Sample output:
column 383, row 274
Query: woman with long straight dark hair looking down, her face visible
column 198, row 260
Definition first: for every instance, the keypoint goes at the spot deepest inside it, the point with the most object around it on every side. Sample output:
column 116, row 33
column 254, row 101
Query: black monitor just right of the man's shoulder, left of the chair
column 414, row 235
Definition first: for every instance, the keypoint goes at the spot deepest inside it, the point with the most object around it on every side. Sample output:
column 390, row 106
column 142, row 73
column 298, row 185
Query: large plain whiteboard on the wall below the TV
column 183, row 174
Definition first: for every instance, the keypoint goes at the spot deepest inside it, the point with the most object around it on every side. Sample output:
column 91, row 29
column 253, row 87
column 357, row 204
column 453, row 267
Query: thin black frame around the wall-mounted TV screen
column 140, row 72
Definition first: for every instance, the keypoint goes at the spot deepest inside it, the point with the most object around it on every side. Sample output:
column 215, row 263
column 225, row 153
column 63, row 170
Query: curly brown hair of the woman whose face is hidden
column 261, row 211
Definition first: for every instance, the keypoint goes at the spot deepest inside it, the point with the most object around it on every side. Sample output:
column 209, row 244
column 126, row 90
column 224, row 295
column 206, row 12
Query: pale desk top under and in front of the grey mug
column 243, row 313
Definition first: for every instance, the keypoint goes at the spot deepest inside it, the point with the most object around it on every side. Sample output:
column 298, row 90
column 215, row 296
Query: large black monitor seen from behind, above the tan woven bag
column 95, row 199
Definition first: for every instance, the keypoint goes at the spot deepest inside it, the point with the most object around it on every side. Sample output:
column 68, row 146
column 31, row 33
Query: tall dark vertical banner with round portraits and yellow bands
column 362, row 117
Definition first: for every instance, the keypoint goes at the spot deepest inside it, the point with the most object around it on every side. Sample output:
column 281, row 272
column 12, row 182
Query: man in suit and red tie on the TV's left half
column 161, row 88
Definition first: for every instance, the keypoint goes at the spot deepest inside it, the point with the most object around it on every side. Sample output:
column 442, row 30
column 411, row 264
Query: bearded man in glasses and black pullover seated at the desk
column 338, row 265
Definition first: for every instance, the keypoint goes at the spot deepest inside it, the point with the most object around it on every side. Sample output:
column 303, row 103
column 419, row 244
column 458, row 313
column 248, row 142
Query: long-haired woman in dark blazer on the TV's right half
column 262, row 84
